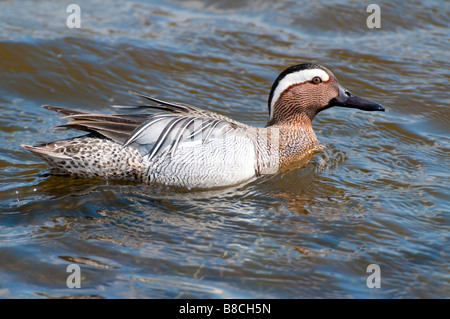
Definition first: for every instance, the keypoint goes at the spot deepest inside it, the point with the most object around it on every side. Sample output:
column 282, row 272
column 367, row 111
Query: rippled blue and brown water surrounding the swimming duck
column 378, row 193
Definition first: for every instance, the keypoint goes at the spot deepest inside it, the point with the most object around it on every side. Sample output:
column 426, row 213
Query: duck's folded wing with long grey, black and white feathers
column 153, row 134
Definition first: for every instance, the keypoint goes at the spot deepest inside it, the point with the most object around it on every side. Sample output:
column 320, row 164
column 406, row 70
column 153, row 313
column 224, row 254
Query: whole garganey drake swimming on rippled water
column 189, row 147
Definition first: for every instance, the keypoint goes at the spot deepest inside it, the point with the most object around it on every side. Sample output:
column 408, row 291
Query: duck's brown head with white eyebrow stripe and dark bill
column 307, row 89
